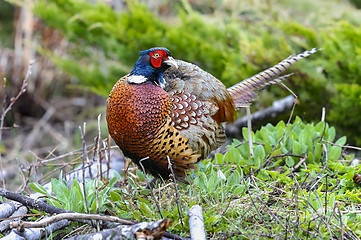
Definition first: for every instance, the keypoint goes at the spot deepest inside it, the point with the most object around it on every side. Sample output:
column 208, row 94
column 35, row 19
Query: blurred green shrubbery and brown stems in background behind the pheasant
column 81, row 48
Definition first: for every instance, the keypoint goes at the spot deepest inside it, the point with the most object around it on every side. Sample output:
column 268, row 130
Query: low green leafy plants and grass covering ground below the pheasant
column 297, row 183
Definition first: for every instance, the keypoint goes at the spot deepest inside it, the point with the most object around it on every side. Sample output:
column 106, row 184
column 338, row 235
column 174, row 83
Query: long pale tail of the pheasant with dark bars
column 244, row 93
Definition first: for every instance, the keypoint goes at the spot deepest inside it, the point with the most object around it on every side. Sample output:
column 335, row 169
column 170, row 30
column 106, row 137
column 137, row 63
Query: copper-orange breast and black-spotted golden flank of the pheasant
column 138, row 117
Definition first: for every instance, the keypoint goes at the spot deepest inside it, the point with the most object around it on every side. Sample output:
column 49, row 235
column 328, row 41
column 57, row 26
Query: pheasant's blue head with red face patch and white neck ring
column 151, row 65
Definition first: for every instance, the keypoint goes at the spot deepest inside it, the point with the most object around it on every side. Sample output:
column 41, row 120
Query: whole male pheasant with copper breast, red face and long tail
column 170, row 112
